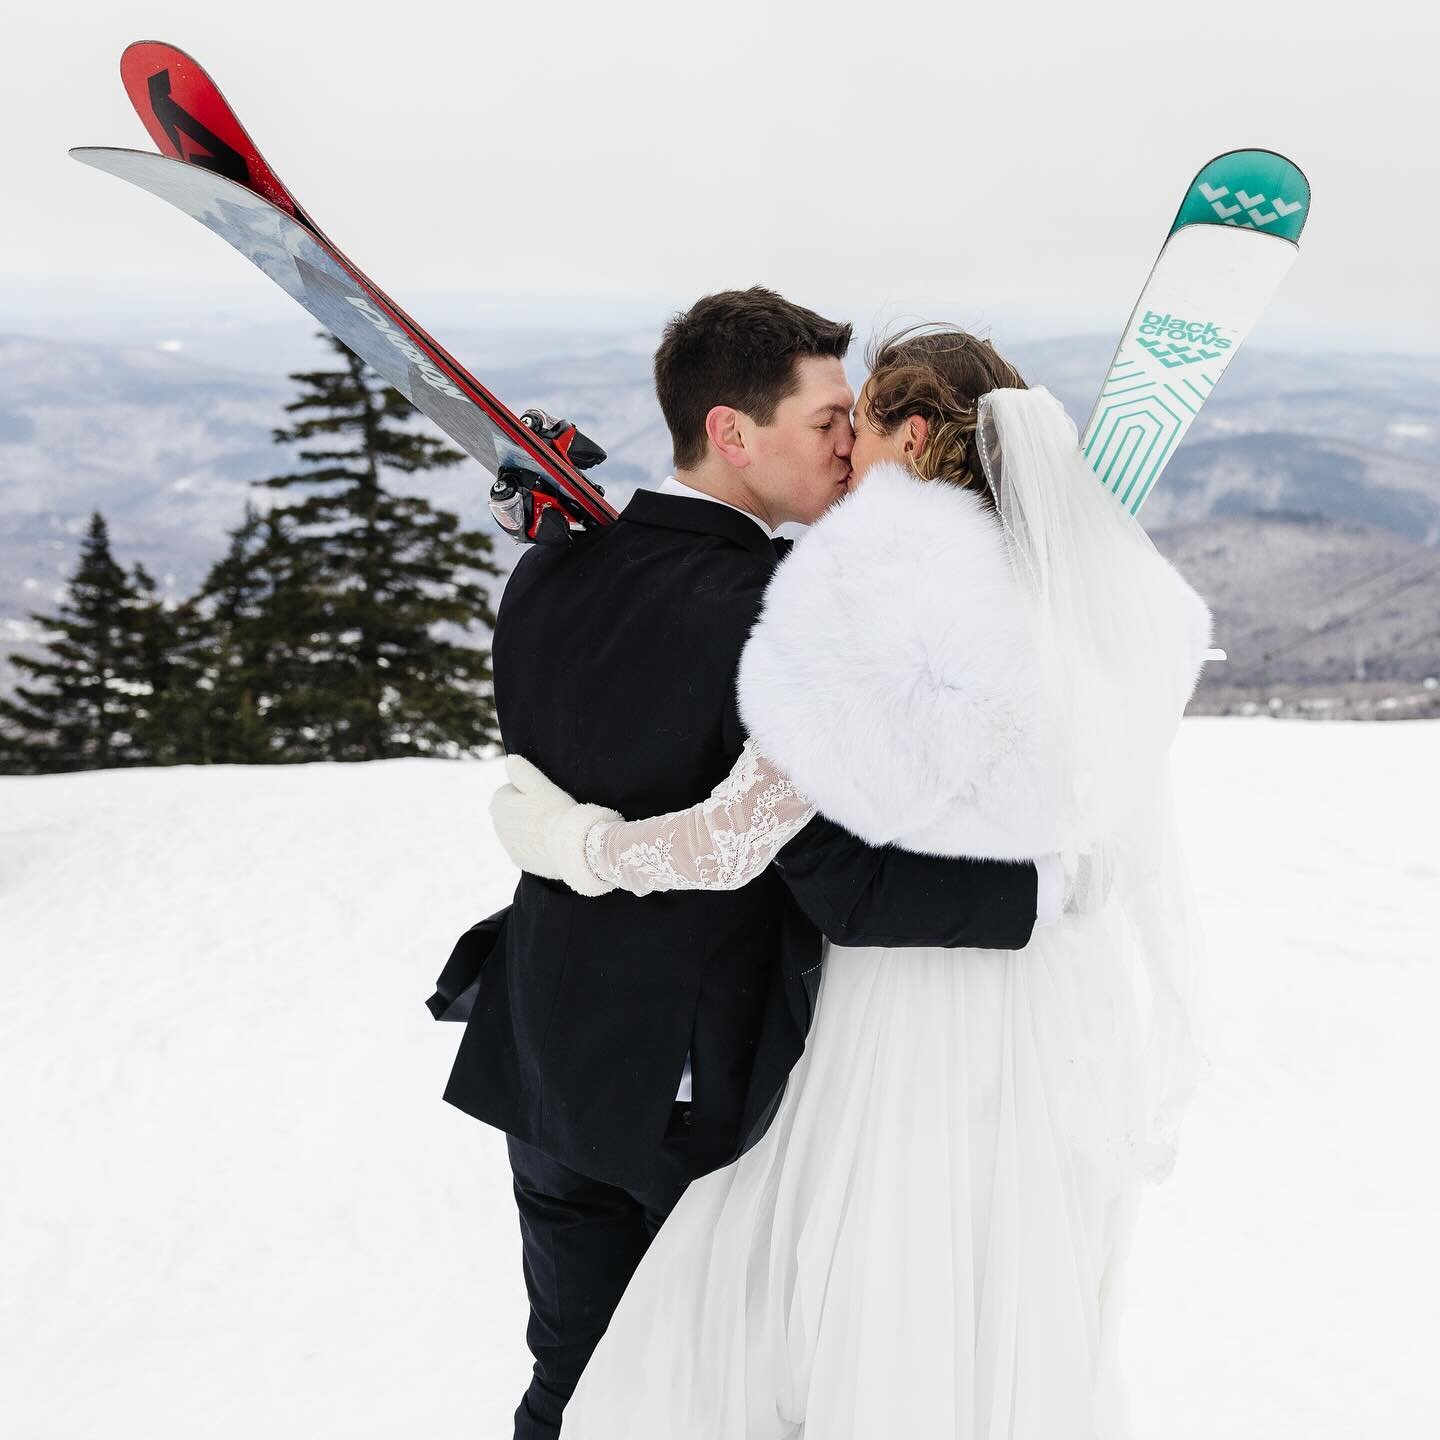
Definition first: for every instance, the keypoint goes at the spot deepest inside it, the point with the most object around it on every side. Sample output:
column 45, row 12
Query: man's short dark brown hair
column 739, row 349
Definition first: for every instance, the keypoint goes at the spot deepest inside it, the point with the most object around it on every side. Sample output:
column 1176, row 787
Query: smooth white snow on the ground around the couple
column 233, row 1202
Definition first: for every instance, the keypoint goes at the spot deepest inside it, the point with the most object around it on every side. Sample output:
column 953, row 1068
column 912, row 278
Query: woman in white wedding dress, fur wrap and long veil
column 977, row 653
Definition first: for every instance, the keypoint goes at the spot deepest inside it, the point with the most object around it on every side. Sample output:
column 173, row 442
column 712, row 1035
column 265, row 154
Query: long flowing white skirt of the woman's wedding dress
column 928, row 1241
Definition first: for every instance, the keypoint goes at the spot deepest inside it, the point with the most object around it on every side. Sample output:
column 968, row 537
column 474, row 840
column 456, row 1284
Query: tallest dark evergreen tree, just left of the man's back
column 369, row 676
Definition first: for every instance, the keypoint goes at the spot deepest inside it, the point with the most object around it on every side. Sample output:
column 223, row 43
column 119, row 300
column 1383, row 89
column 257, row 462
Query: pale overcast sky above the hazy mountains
column 966, row 162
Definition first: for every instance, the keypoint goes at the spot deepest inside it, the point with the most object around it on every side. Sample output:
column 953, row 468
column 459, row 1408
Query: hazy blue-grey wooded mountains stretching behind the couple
column 1302, row 476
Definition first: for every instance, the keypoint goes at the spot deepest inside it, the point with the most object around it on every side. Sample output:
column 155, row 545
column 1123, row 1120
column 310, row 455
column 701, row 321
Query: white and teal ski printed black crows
column 1215, row 276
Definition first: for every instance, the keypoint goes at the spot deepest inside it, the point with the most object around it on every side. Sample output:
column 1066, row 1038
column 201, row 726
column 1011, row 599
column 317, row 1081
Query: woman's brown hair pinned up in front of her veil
column 938, row 372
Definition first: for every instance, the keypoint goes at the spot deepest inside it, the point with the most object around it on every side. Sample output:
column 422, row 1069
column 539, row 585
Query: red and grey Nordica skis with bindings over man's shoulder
column 211, row 169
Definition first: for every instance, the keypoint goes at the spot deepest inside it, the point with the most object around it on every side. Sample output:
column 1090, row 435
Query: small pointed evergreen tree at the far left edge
column 90, row 709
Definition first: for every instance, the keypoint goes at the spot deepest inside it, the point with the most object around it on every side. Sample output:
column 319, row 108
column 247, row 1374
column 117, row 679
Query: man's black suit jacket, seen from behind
column 616, row 666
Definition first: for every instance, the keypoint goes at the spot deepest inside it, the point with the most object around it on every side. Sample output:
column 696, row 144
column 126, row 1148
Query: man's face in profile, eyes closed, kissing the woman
column 801, row 460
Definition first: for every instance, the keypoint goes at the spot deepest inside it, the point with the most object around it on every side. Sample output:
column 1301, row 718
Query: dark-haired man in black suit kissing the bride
column 627, row 1046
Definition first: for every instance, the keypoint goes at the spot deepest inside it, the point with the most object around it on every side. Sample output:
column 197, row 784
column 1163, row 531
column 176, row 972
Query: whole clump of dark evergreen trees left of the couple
column 328, row 631
